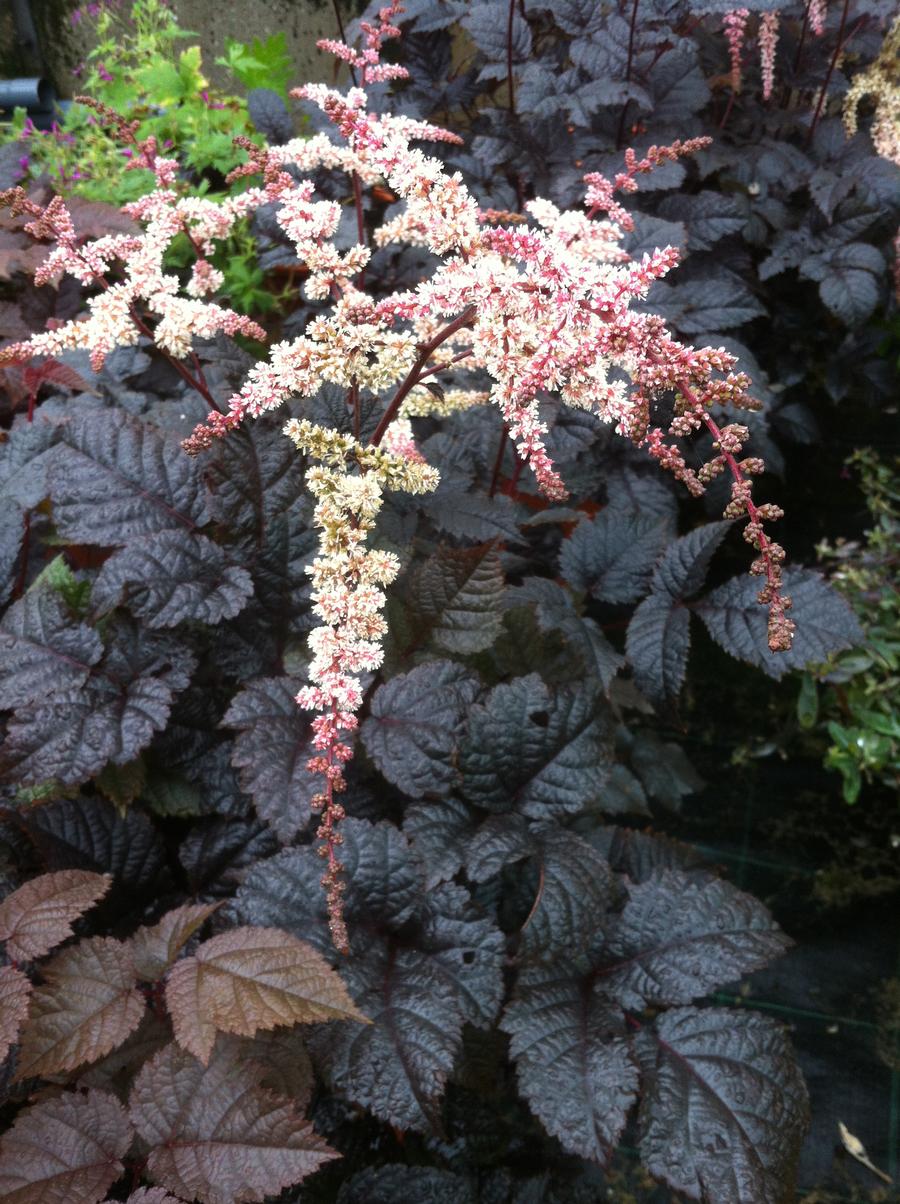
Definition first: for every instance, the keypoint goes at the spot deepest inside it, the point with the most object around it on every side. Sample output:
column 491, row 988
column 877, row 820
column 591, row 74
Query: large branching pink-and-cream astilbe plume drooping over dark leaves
column 538, row 304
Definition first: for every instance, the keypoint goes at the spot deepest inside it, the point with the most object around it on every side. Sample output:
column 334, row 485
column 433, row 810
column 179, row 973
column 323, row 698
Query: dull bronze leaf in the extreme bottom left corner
column 67, row 1150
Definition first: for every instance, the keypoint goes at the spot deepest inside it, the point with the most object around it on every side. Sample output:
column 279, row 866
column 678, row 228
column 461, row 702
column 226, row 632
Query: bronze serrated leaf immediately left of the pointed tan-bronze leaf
column 87, row 1006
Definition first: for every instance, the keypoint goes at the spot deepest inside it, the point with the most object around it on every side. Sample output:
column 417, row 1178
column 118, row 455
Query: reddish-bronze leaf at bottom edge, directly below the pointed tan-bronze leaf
column 215, row 1135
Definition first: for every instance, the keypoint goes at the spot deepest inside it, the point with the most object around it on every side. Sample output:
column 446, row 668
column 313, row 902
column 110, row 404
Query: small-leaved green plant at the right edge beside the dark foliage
column 854, row 695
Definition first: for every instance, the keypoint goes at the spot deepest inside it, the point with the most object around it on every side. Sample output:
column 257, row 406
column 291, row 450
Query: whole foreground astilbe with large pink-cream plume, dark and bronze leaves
column 436, row 563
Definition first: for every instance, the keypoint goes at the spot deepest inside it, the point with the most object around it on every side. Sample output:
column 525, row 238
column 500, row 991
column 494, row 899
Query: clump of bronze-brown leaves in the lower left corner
column 205, row 1116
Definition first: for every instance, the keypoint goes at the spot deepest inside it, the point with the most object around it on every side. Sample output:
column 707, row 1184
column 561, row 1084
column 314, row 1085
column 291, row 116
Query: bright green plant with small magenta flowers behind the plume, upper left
column 139, row 70
